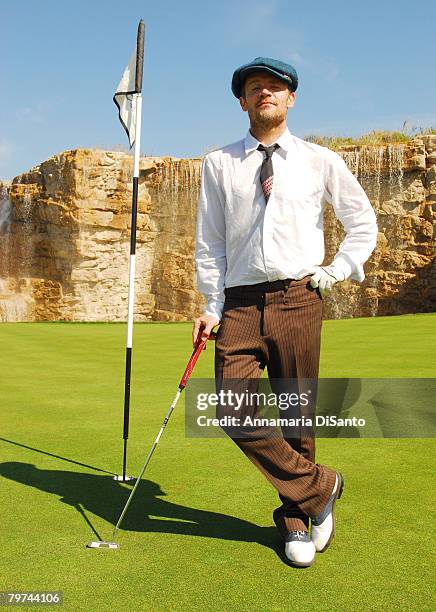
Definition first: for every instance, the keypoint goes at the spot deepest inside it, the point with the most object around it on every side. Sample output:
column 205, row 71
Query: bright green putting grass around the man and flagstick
column 199, row 534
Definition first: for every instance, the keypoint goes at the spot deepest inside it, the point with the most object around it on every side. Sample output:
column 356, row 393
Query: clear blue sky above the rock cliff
column 361, row 66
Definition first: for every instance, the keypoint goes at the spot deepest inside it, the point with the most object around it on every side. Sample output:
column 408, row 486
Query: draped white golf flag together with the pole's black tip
column 131, row 84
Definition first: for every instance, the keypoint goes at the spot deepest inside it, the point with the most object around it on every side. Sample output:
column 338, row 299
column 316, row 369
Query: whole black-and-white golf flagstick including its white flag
column 128, row 99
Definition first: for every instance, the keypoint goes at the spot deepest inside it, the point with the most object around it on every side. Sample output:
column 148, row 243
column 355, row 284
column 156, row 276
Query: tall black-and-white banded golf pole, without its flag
column 137, row 98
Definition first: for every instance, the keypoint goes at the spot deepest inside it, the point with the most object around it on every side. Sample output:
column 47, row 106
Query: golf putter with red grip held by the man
column 200, row 345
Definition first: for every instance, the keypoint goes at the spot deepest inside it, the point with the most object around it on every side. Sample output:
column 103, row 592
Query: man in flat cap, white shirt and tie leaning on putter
column 259, row 250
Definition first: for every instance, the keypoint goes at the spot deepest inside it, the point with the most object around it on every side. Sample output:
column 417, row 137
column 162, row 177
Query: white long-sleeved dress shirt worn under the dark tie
column 242, row 241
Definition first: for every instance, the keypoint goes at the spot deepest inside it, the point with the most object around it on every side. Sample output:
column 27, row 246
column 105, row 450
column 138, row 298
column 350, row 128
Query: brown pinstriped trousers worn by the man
column 277, row 325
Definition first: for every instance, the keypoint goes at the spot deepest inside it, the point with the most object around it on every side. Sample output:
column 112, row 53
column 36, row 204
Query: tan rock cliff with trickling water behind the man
column 65, row 237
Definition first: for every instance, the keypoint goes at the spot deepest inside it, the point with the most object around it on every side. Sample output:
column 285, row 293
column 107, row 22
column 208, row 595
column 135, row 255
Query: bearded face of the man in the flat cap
column 266, row 100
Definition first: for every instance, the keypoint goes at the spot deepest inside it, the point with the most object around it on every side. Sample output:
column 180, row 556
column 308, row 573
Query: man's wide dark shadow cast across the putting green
column 148, row 512
